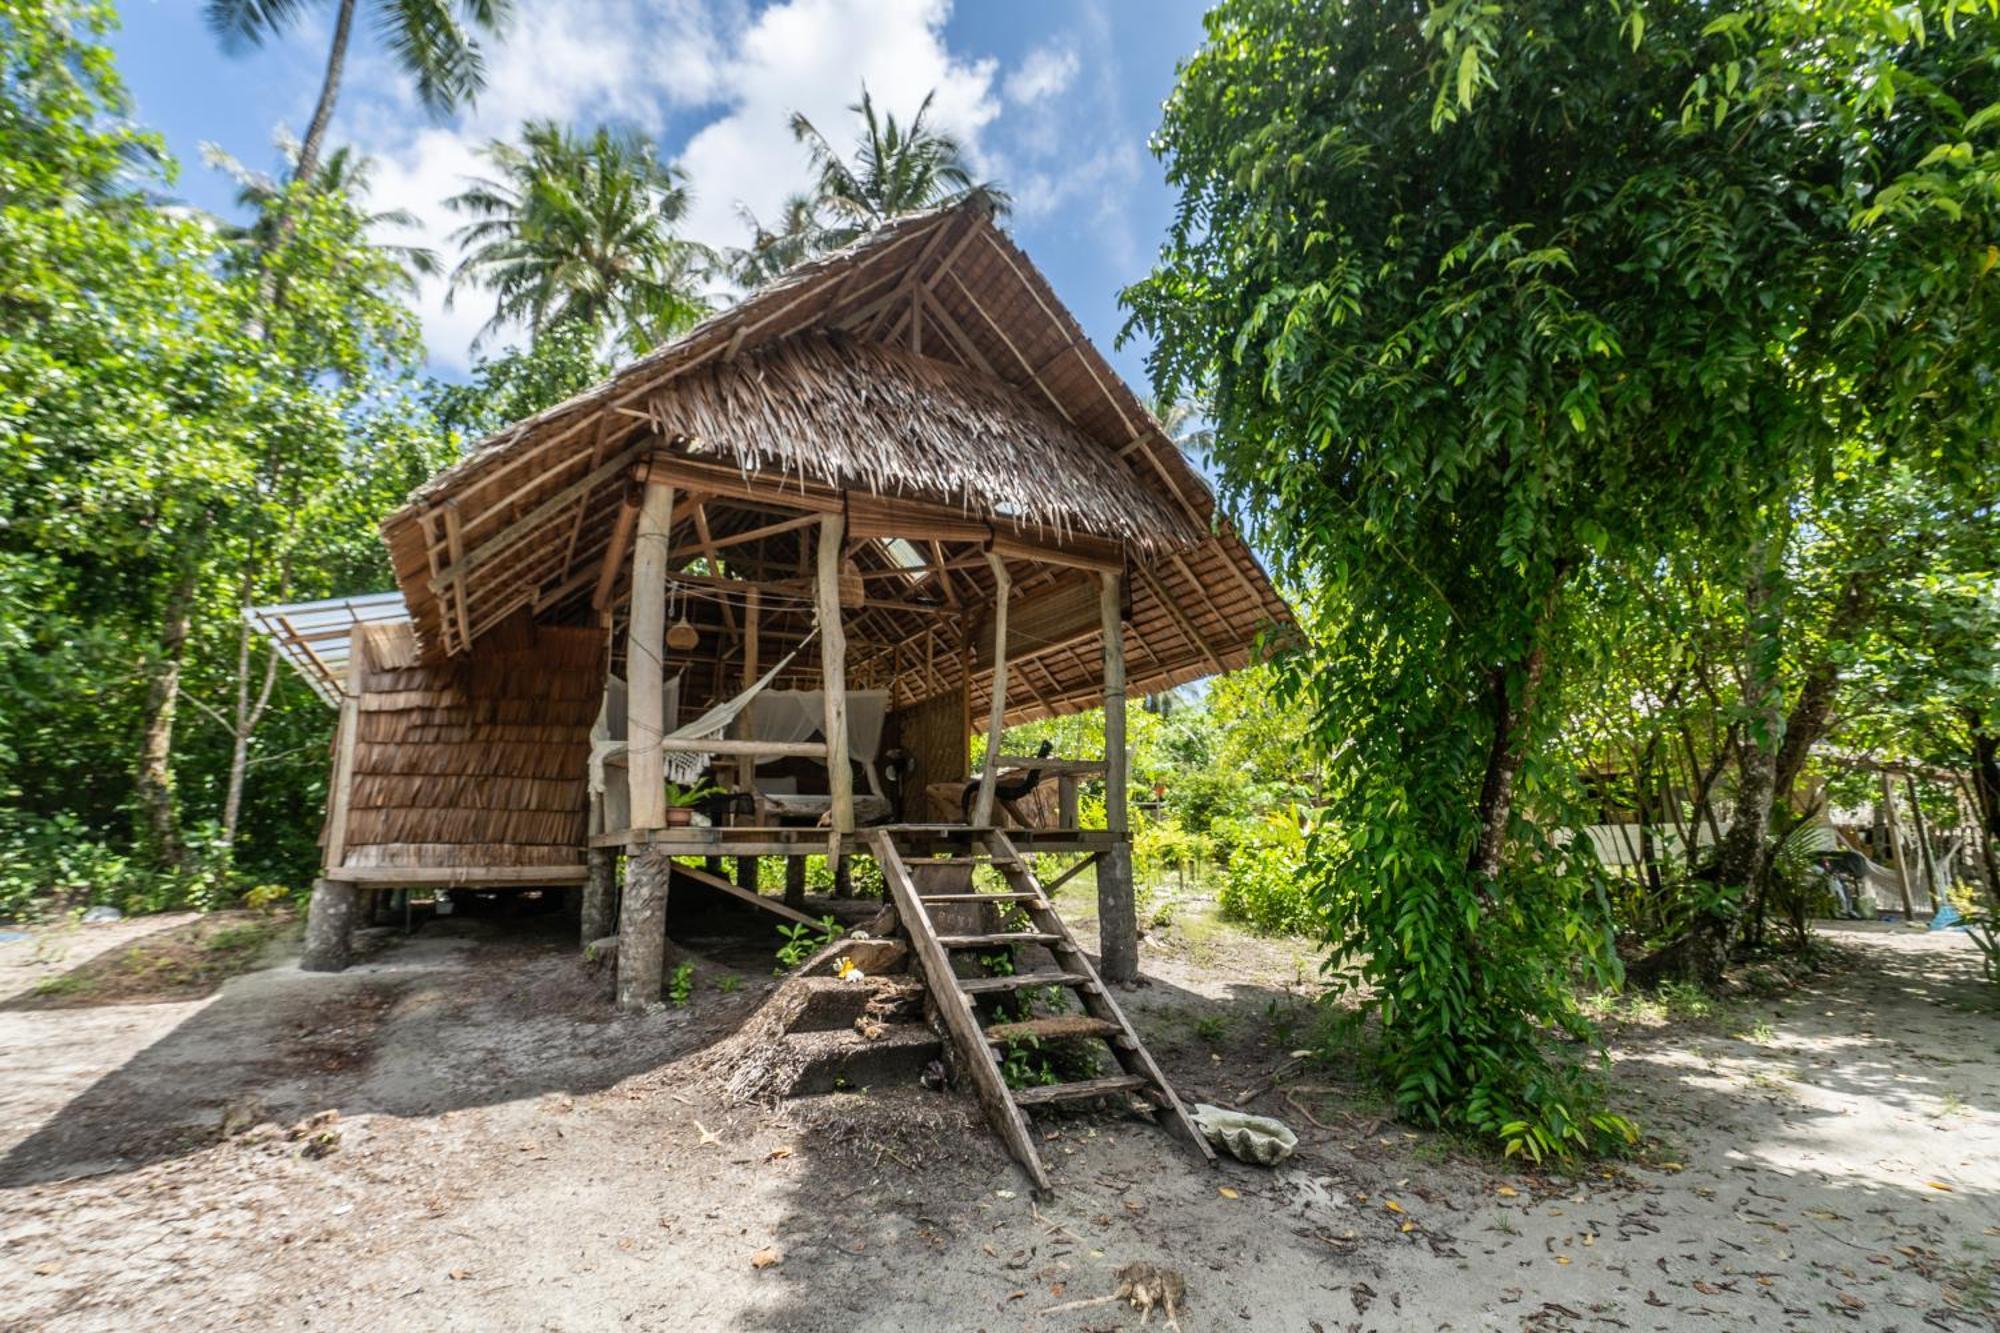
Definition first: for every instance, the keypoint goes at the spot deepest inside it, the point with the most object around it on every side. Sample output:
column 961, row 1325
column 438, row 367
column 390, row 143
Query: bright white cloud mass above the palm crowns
column 655, row 65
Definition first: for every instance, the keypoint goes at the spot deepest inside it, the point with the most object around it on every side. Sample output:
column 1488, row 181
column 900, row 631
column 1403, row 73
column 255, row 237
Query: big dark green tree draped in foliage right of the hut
column 1481, row 307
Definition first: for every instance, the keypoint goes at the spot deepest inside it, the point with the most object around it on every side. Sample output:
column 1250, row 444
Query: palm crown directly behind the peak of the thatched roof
column 897, row 169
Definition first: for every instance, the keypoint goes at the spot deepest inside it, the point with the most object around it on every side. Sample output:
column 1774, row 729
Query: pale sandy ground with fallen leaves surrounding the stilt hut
column 505, row 1154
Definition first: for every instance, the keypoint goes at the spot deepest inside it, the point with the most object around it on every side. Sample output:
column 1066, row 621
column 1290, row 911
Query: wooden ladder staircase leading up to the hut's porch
column 955, row 996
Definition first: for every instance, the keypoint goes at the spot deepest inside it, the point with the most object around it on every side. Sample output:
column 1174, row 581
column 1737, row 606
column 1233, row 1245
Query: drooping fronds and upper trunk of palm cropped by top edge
column 433, row 41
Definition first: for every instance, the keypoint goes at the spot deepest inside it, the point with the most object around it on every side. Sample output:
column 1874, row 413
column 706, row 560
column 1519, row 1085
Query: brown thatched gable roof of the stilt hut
column 927, row 365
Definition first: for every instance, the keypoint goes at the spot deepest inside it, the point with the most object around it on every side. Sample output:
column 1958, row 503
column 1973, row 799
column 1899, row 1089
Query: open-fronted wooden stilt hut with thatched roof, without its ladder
column 803, row 553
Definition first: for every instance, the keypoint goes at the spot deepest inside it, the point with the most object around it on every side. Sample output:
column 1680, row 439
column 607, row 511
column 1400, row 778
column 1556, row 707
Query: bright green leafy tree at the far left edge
column 131, row 393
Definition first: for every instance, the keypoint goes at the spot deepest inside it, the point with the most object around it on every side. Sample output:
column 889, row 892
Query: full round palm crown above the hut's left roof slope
column 581, row 229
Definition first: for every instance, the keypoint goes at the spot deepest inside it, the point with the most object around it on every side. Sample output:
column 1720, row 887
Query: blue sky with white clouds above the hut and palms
column 1055, row 99
